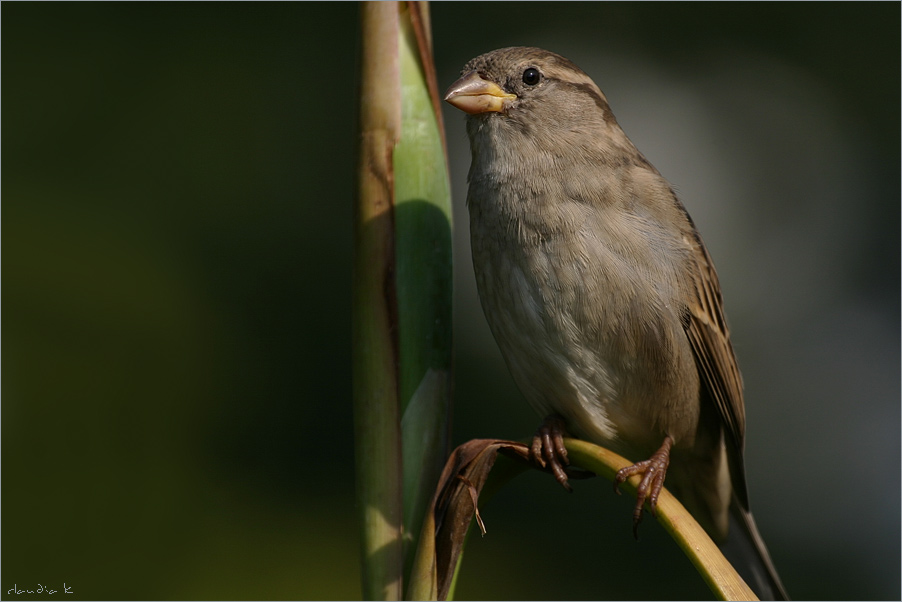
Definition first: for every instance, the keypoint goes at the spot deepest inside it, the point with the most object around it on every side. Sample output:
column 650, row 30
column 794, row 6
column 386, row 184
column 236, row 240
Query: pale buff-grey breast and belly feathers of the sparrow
column 584, row 331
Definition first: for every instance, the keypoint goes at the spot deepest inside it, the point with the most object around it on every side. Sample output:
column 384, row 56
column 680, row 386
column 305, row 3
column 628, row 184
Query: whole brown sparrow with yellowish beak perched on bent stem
column 602, row 296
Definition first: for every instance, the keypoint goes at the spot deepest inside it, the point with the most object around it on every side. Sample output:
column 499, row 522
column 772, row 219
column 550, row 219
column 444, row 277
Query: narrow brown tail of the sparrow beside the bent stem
column 745, row 549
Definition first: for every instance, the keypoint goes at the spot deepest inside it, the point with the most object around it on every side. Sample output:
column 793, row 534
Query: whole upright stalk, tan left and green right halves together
column 402, row 291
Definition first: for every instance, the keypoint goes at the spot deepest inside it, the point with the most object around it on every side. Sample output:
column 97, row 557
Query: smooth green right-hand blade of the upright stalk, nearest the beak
column 423, row 236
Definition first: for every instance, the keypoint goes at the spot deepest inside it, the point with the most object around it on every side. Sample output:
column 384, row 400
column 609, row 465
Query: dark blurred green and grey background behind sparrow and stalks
column 176, row 291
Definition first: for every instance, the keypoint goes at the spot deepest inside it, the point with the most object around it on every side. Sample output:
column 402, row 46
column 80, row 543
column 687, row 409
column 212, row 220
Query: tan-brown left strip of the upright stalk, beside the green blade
column 377, row 423
